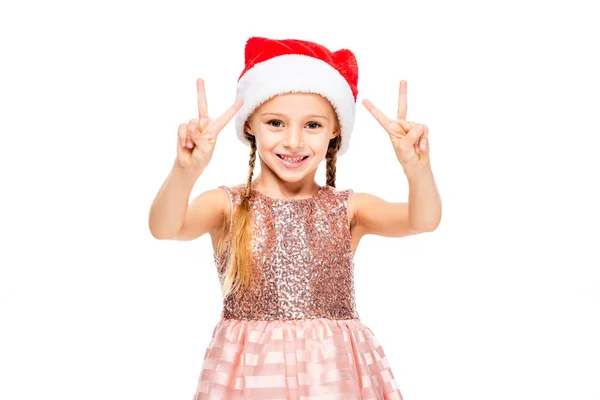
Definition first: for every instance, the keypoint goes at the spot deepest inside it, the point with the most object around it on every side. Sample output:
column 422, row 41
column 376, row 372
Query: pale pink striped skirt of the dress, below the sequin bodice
column 295, row 359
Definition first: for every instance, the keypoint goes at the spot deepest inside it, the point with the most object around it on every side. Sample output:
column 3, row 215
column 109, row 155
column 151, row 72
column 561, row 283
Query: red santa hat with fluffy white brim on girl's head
column 275, row 67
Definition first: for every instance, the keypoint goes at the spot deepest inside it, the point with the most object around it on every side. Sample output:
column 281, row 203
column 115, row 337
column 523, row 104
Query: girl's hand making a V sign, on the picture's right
column 410, row 143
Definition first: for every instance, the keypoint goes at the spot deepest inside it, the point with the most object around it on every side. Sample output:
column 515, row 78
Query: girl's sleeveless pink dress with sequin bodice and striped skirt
column 295, row 332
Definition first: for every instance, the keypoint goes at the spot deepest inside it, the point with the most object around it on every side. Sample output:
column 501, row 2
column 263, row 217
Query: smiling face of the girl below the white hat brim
column 292, row 133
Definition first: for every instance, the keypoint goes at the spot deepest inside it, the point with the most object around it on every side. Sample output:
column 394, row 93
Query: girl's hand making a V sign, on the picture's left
column 196, row 141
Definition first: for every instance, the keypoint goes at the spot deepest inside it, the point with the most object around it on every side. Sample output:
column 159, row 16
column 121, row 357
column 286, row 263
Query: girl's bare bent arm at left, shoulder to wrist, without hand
column 171, row 217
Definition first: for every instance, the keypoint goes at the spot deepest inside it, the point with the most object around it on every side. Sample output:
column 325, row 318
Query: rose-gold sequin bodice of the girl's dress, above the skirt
column 302, row 258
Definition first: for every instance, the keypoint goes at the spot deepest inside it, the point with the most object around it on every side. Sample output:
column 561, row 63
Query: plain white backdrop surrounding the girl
column 501, row 302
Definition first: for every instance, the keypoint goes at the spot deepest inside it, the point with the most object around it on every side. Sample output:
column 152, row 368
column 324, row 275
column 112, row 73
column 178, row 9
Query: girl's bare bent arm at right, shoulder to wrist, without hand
column 422, row 212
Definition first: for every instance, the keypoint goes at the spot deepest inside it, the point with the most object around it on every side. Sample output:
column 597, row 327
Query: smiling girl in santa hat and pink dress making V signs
column 283, row 244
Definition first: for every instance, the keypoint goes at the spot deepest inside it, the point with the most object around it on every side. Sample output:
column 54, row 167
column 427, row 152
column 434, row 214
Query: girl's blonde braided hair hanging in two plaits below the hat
column 238, row 272
